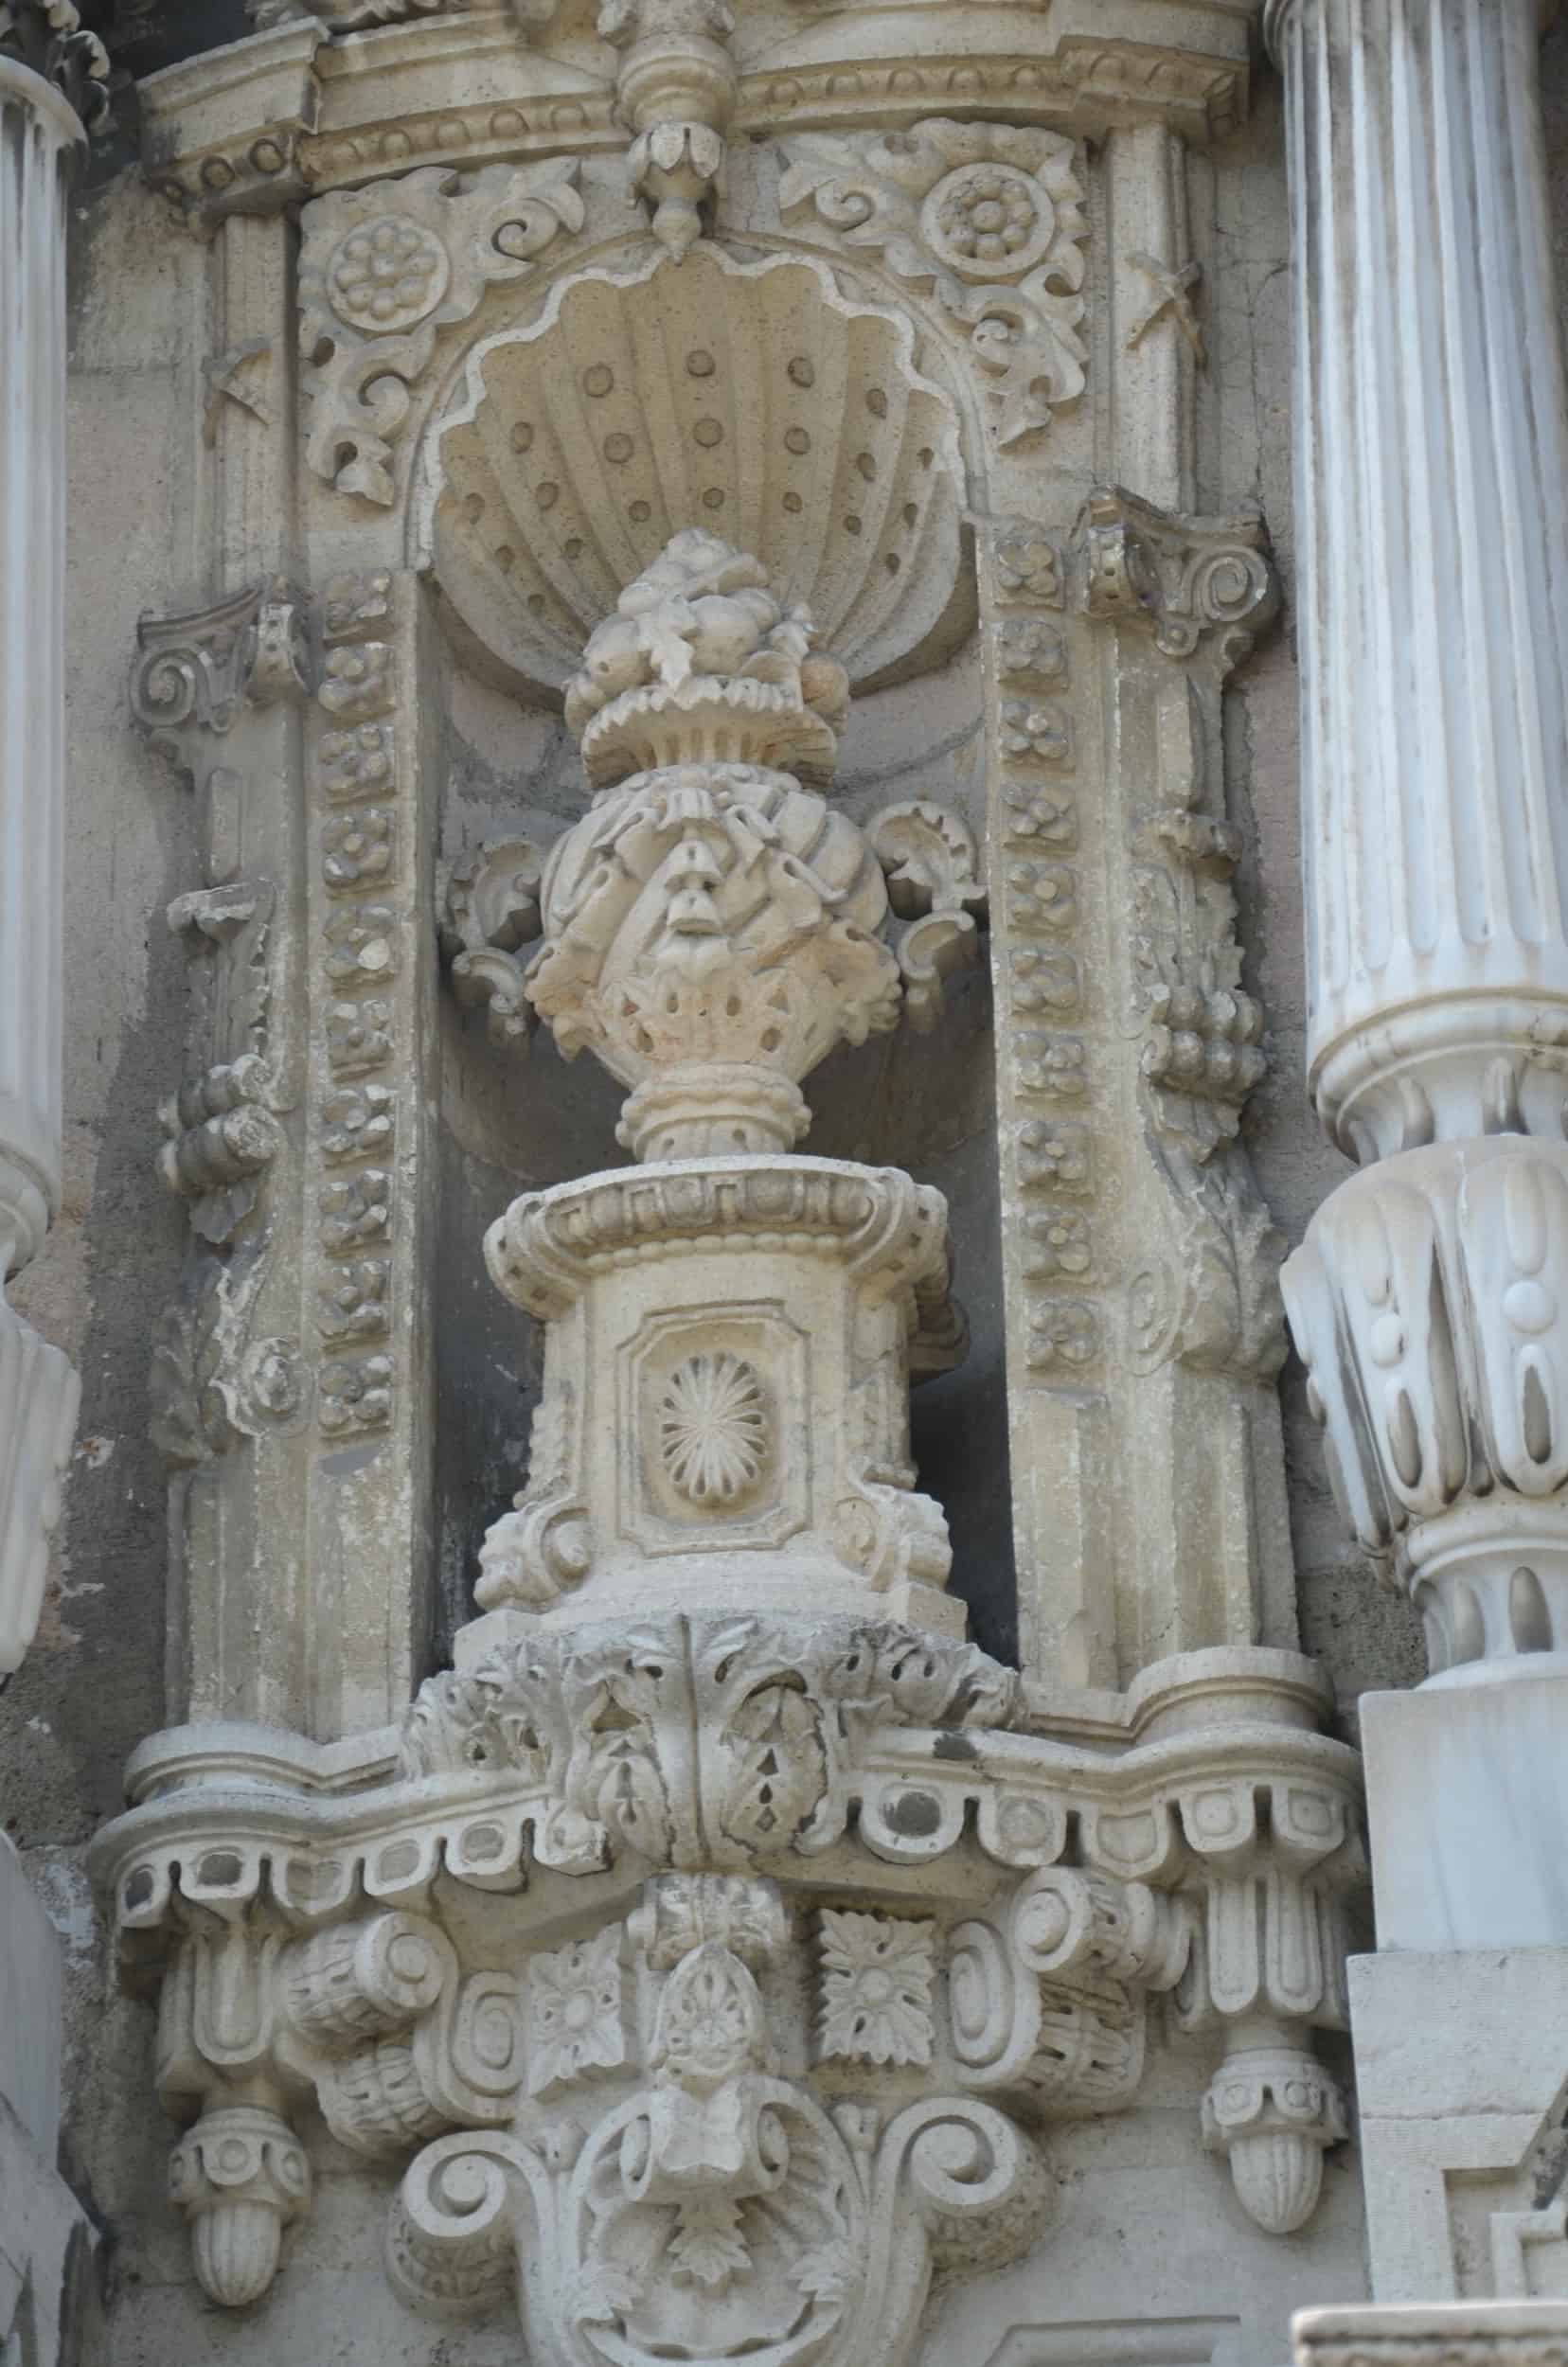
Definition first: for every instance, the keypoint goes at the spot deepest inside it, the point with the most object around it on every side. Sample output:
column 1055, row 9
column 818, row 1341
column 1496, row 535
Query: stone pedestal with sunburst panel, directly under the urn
column 728, row 1393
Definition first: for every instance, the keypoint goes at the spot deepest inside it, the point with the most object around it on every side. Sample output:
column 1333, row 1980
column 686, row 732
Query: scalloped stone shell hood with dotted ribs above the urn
column 750, row 399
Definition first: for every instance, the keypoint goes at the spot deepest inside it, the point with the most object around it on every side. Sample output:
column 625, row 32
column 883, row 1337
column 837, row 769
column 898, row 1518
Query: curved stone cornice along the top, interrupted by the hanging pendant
column 255, row 124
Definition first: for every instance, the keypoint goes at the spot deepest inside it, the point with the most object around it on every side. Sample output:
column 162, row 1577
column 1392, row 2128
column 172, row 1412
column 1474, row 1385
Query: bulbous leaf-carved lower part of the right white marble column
column 1427, row 1305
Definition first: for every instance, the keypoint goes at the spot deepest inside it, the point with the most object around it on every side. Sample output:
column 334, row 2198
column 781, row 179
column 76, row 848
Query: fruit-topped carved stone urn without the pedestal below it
column 712, row 927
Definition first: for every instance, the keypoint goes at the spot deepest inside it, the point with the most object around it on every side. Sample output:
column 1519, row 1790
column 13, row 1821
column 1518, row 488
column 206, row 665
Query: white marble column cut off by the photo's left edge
column 39, row 1388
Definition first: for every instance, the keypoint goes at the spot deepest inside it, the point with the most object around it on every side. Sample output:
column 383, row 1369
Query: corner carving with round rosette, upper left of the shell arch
column 385, row 271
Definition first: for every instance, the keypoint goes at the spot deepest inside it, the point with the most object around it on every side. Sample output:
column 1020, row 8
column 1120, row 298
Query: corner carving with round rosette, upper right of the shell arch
column 991, row 219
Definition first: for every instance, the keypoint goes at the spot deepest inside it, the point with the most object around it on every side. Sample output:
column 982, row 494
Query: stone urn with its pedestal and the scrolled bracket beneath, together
column 724, row 1966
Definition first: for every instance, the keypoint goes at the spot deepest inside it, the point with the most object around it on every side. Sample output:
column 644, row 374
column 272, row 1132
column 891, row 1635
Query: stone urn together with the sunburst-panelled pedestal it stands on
column 731, row 1331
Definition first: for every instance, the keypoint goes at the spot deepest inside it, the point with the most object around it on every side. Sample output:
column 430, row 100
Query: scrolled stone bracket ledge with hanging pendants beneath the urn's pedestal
column 726, row 1975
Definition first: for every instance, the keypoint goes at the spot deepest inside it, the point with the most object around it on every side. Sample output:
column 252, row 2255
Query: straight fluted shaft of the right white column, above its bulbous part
column 1432, row 486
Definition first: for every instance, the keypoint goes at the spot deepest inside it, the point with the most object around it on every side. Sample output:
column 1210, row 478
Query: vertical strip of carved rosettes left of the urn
column 368, row 1187
